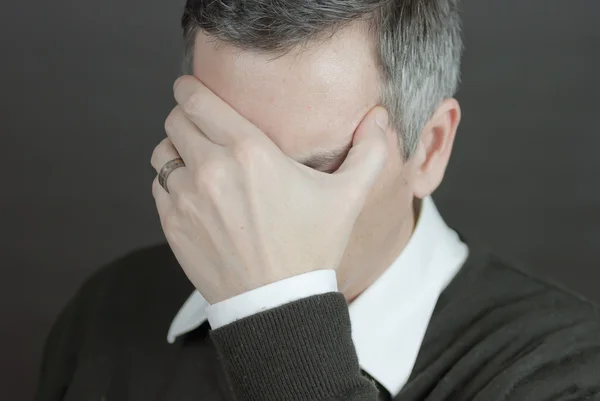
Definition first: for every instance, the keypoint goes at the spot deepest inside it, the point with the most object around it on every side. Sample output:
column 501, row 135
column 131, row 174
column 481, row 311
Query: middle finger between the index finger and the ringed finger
column 191, row 143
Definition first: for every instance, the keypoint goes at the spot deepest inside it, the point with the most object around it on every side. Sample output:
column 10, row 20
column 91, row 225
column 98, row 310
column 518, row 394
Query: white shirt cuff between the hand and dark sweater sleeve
column 271, row 296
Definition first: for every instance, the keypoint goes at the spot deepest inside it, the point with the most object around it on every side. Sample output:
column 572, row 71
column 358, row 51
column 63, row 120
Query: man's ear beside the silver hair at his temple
column 434, row 149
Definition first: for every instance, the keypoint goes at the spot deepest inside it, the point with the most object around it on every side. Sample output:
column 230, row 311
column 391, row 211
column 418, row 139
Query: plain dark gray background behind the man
column 86, row 87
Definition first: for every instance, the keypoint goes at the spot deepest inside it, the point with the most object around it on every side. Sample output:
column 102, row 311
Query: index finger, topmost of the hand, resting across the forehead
column 217, row 119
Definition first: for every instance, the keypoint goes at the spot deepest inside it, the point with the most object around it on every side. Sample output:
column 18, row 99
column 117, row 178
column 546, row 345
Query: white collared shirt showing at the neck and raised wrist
column 388, row 319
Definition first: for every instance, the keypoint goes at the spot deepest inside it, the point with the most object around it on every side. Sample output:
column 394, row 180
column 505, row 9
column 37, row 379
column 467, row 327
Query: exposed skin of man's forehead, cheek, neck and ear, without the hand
column 314, row 101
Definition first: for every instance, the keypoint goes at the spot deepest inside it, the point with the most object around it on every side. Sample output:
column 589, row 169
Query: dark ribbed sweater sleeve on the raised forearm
column 300, row 351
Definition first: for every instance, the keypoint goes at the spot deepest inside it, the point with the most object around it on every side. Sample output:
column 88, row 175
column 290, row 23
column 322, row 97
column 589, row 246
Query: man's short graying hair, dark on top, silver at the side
column 419, row 44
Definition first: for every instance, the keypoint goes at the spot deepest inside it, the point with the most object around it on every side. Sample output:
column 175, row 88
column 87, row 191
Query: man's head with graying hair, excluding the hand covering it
column 307, row 72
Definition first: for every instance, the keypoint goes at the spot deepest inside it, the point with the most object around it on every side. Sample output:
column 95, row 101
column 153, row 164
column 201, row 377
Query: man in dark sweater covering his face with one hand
column 306, row 259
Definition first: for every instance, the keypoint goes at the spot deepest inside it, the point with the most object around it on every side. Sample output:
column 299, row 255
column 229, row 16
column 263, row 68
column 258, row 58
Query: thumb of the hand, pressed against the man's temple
column 369, row 151
